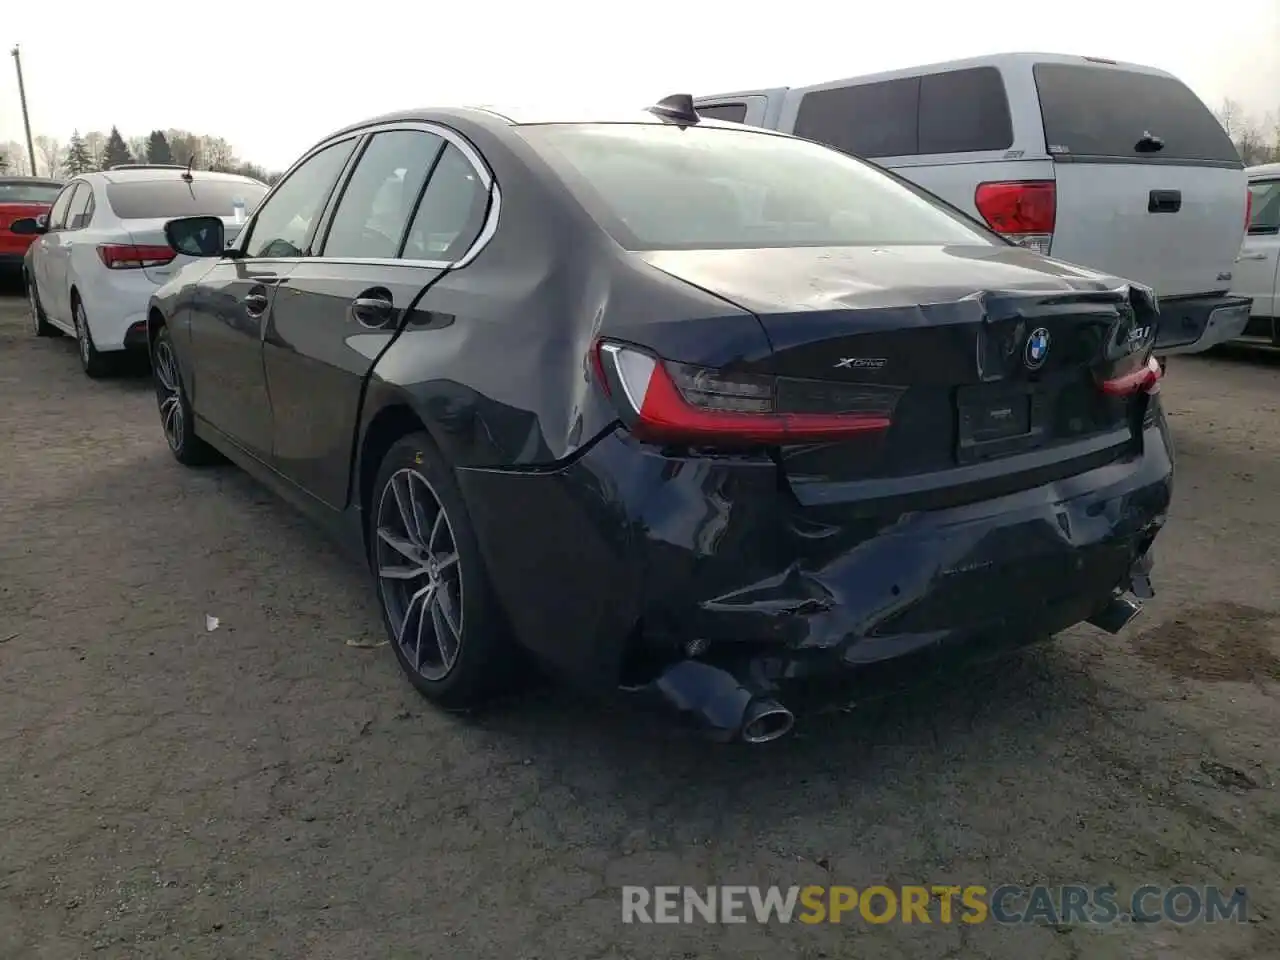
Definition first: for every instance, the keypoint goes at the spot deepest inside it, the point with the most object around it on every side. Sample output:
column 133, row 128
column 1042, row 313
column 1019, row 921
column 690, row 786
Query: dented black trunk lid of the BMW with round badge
column 995, row 351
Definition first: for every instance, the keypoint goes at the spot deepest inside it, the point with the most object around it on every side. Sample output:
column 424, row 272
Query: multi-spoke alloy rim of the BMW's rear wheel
column 419, row 574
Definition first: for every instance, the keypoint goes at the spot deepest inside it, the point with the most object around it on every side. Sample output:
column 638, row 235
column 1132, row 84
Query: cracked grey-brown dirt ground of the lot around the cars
column 268, row 790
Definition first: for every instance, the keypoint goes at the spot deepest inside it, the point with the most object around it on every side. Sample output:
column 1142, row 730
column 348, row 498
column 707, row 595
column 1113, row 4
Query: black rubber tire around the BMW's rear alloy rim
column 486, row 659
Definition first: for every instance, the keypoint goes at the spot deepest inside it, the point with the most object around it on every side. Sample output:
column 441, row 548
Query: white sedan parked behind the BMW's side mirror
column 102, row 252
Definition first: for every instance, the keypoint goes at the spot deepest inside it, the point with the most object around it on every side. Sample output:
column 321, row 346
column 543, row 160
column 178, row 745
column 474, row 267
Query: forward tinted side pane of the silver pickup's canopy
column 868, row 120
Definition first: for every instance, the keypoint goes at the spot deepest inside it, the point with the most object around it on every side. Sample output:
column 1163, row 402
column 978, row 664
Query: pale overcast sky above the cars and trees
column 276, row 76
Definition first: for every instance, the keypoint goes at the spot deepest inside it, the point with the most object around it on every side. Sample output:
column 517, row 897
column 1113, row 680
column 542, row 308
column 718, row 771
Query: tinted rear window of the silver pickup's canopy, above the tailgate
column 1107, row 112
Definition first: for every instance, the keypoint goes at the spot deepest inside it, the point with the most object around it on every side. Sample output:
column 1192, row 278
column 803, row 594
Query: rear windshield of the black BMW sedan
column 661, row 188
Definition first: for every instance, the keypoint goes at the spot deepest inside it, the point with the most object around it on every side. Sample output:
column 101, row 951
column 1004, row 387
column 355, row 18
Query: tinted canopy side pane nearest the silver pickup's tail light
column 964, row 112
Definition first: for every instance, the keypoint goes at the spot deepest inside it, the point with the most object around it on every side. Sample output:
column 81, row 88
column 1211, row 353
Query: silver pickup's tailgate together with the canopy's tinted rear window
column 1150, row 189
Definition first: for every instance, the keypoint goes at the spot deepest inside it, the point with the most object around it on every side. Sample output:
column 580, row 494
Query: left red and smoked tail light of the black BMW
column 665, row 403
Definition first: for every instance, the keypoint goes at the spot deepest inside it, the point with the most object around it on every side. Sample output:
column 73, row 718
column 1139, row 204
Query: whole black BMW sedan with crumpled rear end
column 687, row 410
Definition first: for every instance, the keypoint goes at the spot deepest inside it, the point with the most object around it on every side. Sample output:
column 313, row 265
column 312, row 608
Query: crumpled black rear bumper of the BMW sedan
column 703, row 588
